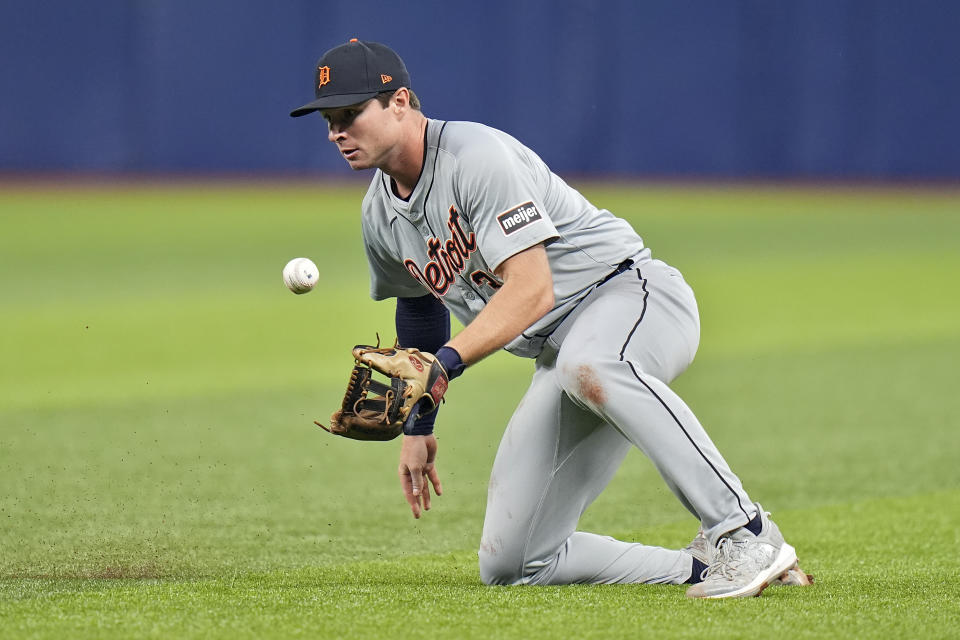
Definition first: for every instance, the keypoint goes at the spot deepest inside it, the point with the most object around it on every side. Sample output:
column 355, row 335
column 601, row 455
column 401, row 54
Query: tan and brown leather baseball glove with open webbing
column 373, row 410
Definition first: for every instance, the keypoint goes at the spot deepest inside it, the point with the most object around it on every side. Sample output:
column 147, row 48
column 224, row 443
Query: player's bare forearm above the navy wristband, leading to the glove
column 516, row 306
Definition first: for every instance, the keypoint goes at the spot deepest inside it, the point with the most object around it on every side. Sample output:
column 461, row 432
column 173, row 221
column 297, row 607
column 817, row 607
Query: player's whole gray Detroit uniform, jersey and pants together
column 605, row 354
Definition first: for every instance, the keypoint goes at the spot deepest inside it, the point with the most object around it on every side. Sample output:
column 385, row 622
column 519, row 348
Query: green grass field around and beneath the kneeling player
column 160, row 475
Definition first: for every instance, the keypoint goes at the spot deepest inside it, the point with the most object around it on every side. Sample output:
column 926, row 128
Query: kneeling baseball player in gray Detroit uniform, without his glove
column 463, row 218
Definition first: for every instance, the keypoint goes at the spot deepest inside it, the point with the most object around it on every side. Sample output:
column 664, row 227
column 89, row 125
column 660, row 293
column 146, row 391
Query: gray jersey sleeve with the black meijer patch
column 500, row 190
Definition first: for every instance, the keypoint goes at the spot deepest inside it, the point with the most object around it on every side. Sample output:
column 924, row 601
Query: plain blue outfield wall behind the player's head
column 702, row 88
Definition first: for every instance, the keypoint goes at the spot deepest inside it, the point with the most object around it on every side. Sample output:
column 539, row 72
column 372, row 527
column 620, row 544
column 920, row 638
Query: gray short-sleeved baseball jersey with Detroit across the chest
column 481, row 198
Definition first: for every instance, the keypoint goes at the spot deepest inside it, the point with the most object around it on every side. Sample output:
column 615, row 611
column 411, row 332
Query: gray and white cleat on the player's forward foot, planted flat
column 744, row 564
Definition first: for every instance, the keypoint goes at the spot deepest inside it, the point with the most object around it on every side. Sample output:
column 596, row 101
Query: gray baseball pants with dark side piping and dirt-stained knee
column 600, row 388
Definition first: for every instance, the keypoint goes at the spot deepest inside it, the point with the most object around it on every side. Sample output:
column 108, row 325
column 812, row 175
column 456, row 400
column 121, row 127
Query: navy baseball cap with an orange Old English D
column 355, row 72
